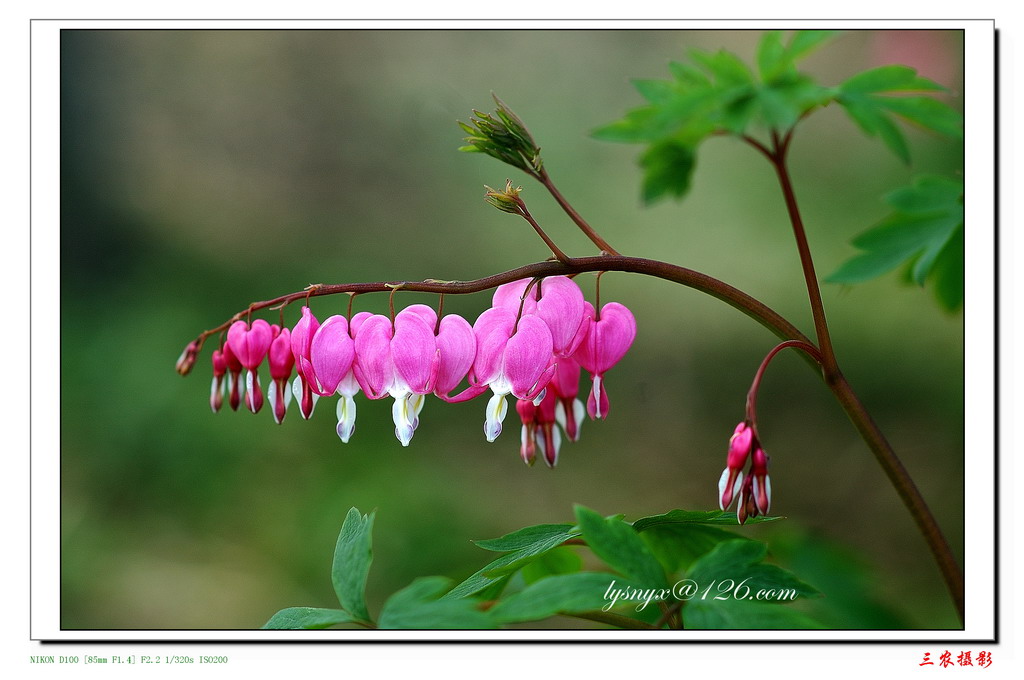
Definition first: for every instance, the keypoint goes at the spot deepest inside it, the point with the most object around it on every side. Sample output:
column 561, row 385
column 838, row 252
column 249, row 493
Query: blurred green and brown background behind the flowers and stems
column 202, row 171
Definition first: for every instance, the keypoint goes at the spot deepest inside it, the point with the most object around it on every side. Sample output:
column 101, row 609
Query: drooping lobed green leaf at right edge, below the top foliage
column 927, row 222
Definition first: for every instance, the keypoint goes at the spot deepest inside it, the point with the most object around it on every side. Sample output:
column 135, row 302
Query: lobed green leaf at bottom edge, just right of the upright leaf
column 418, row 607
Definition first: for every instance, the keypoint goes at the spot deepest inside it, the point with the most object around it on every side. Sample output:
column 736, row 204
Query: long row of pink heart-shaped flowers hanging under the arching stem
column 532, row 345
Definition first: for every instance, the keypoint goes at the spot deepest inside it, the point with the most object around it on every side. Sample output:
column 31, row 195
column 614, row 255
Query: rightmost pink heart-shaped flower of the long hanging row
column 607, row 341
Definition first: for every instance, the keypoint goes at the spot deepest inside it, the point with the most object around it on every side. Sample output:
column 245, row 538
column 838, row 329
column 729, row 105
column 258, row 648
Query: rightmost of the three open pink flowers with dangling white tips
column 511, row 358
